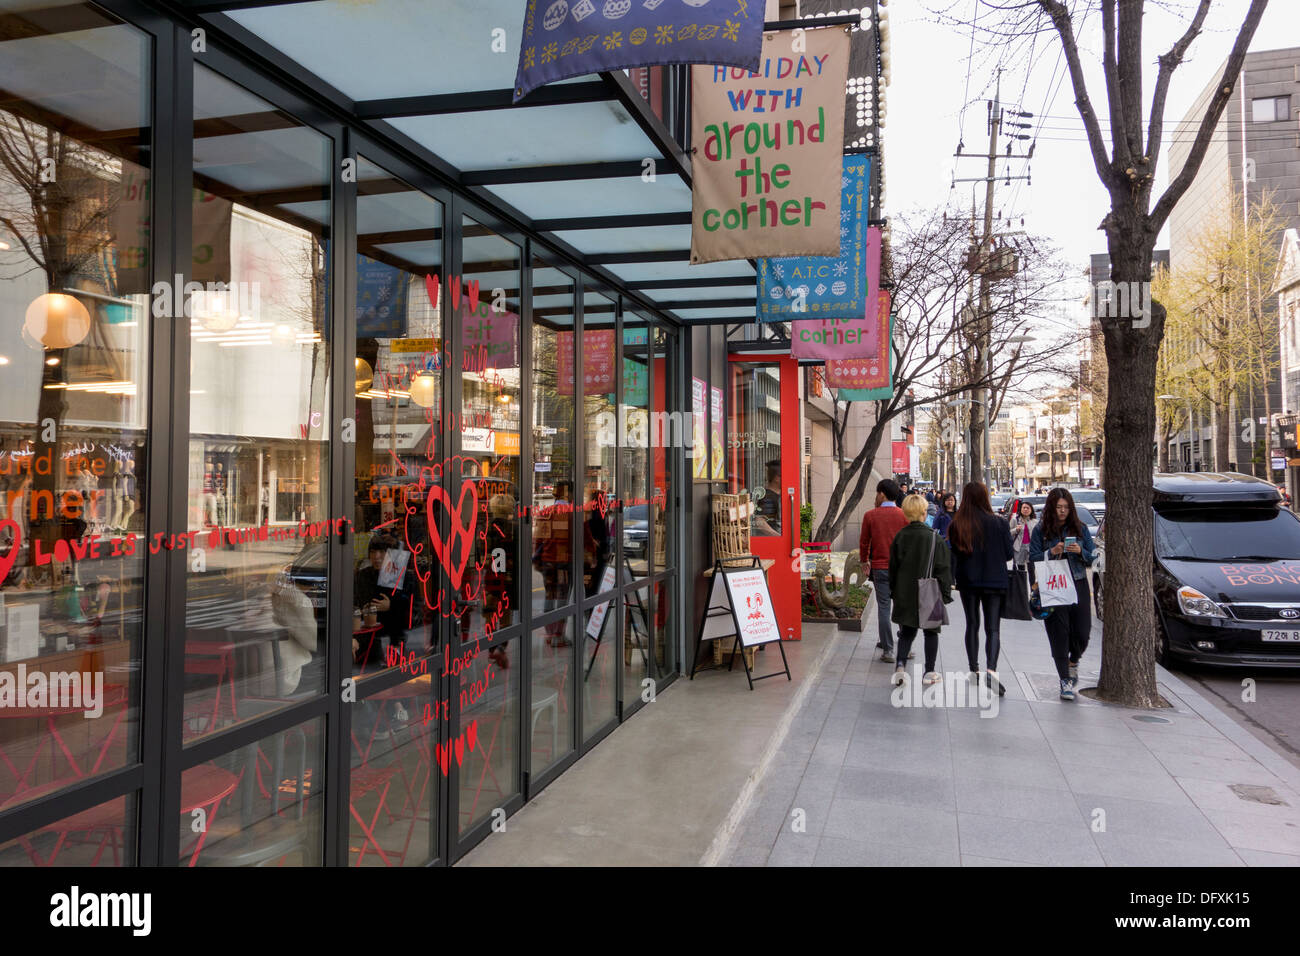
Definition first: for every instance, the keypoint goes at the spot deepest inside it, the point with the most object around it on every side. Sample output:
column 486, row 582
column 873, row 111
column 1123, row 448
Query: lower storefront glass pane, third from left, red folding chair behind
column 395, row 797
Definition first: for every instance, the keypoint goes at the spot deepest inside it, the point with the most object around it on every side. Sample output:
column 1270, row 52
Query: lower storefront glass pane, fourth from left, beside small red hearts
column 489, row 726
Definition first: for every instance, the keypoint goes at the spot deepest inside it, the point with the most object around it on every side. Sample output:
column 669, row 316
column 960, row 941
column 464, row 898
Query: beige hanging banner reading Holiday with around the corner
column 769, row 150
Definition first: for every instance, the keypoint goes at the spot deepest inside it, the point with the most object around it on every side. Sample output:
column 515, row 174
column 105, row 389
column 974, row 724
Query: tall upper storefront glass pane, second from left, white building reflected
column 259, row 412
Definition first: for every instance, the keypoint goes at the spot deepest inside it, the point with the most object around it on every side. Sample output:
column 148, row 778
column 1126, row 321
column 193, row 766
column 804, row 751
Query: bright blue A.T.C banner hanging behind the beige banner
column 825, row 287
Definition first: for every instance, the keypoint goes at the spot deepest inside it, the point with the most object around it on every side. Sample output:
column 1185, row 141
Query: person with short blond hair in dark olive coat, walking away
column 909, row 563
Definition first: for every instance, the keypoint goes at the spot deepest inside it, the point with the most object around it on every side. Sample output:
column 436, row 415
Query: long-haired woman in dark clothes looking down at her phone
column 1061, row 534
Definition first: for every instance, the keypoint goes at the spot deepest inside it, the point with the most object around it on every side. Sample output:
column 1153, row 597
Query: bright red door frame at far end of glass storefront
column 783, row 578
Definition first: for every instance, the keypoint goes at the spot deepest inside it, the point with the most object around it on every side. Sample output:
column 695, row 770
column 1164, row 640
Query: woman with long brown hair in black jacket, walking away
column 982, row 546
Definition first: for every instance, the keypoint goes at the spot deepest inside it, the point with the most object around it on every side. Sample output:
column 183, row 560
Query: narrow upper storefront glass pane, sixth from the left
column 601, row 416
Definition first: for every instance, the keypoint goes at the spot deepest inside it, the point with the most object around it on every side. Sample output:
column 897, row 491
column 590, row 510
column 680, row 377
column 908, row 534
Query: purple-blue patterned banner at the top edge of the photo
column 570, row 38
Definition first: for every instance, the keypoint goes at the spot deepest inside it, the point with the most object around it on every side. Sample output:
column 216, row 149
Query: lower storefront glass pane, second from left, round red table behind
column 261, row 806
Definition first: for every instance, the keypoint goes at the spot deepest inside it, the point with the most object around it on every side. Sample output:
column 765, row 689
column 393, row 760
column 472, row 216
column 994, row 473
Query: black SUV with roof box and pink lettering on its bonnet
column 1228, row 572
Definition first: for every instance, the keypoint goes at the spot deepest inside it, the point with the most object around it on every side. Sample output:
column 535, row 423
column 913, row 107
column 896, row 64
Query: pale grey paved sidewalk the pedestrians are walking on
column 1046, row 782
